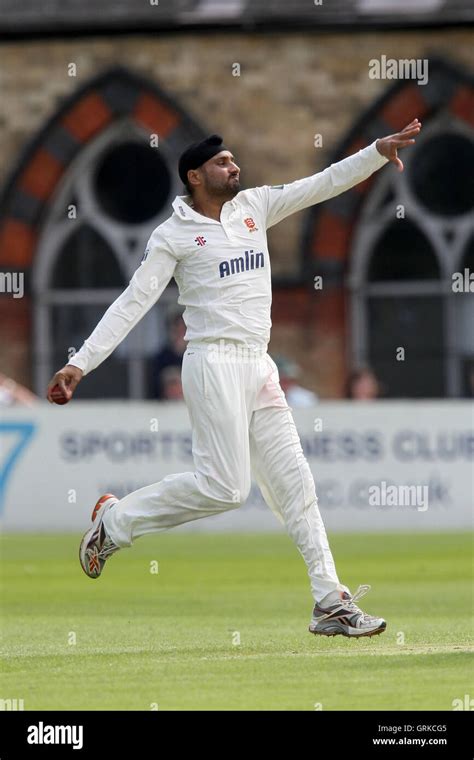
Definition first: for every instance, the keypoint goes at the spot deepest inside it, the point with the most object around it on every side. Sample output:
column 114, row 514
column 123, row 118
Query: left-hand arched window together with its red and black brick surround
column 76, row 215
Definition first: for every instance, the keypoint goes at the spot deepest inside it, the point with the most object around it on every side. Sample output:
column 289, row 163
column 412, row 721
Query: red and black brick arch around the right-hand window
column 329, row 227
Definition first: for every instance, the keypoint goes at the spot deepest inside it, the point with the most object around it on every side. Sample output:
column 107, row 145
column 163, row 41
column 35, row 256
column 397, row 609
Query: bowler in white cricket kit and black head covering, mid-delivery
column 215, row 246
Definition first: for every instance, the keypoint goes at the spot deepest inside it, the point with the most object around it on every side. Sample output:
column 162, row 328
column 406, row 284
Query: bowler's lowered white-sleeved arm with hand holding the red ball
column 146, row 286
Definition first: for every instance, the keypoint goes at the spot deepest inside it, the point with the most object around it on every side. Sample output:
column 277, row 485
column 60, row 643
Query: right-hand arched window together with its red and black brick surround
column 388, row 248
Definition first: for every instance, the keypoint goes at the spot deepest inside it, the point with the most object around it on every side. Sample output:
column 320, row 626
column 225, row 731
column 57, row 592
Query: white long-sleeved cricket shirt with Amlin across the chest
column 222, row 269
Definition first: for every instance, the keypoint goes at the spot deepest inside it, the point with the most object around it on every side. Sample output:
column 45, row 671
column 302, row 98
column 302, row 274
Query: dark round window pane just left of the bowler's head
column 132, row 182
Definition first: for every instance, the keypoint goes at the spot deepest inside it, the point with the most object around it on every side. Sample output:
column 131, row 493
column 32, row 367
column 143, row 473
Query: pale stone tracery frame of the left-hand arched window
column 78, row 184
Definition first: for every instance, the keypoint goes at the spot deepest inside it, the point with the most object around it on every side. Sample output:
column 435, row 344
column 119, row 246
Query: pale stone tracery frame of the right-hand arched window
column 449, row 255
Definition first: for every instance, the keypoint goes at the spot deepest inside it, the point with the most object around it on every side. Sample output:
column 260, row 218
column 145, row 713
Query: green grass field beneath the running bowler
column 135, row 639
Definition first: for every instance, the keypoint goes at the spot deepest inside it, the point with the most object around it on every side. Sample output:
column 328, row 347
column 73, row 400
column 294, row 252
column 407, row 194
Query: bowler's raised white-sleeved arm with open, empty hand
column 282, row 200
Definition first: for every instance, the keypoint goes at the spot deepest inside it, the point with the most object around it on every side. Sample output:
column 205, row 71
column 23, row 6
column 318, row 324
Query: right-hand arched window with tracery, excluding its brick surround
column 407, row 322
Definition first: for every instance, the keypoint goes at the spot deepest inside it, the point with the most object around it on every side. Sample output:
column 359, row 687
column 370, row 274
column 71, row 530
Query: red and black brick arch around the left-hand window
column 24, row 203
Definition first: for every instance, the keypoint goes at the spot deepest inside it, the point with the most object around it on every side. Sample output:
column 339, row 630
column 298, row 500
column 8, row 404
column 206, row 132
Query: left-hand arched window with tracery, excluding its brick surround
column 92, row 241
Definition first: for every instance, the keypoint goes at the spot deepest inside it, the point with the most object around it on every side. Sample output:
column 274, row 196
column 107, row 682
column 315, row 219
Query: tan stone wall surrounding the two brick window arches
column 291, row 87
